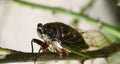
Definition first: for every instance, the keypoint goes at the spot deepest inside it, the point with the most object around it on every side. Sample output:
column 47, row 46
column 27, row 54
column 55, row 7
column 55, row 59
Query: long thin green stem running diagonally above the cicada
column 108, row 28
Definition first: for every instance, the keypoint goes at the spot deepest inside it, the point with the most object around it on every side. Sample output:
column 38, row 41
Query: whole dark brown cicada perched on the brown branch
column 61, row 38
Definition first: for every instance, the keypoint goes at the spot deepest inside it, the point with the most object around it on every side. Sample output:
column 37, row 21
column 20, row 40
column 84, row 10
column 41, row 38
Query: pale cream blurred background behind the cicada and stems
column 18, row 22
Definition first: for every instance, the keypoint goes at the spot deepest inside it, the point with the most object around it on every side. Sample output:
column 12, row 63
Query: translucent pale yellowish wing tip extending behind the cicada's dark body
column 95, row 39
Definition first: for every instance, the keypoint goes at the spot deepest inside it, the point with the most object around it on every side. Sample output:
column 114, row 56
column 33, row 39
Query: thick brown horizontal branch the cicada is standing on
column 17, row 56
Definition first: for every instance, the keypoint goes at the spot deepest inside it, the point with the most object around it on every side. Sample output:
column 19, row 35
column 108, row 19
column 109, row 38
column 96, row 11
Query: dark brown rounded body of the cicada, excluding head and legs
column 66, row 34
